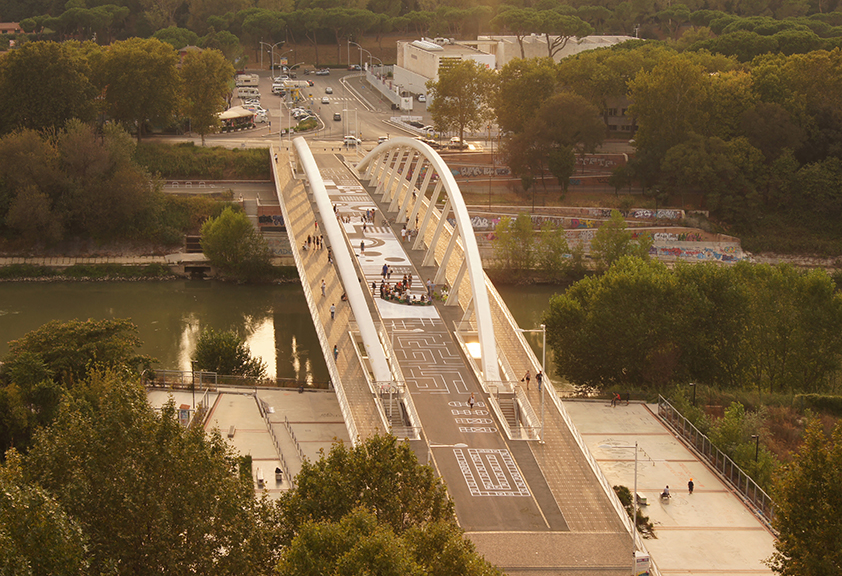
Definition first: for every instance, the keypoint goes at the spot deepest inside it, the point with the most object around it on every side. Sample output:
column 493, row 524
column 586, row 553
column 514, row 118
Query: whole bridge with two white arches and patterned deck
column 448, row 375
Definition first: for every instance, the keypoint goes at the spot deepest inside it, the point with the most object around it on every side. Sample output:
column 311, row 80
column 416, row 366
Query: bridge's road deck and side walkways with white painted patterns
column 528, row 507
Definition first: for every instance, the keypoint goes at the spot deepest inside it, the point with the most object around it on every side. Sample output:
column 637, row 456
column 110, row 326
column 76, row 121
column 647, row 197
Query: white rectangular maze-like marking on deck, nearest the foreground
column 495, row 469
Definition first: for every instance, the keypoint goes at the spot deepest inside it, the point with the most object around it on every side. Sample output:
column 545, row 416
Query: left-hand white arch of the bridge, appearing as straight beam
column 344, row 259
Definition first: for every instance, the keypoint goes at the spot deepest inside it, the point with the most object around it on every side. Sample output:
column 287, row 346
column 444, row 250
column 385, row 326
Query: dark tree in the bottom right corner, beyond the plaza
column 806, row 506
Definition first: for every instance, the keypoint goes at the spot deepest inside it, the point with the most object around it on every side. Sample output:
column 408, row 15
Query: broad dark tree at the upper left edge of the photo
column 60, row 90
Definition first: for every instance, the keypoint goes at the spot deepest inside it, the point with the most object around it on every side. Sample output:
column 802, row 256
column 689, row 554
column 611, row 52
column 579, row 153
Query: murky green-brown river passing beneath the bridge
column 274, row 320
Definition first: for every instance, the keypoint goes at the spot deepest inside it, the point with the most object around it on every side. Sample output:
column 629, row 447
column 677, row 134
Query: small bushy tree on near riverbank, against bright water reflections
column 226, row 354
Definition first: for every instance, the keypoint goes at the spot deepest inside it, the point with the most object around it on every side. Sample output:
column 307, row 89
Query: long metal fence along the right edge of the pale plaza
column 753, row 494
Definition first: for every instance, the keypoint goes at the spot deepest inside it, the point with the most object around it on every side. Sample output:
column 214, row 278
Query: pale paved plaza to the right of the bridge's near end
column 707, row 533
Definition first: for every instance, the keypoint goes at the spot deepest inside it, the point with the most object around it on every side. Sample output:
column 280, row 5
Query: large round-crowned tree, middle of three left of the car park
column 140, row 81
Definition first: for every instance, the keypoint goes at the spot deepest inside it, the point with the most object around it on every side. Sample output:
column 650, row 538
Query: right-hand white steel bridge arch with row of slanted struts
column 387, row 164
